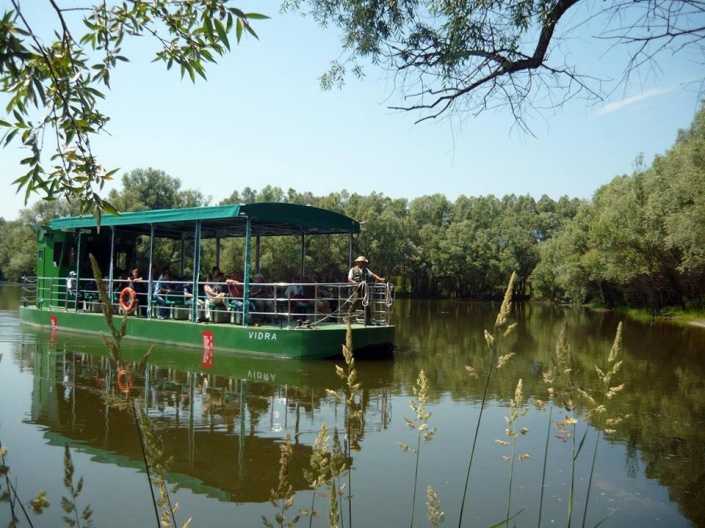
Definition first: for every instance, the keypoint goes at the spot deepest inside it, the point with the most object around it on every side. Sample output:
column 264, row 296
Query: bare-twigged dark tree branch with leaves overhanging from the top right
column 468, row 56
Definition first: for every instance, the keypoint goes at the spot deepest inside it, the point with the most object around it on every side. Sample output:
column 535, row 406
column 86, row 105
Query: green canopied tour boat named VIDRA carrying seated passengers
column 241, row 314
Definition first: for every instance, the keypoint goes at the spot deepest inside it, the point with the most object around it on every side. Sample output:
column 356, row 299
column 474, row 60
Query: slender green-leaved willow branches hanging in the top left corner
column 56, row 82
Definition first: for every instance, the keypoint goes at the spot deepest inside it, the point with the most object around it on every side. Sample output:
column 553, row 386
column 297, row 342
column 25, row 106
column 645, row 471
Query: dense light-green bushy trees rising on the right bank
column 641, row 240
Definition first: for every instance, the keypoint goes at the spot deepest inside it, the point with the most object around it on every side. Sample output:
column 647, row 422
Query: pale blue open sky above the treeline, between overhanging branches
column 262, row 119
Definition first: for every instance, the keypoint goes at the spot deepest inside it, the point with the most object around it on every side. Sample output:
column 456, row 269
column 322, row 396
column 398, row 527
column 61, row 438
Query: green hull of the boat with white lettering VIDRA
column 314, row 342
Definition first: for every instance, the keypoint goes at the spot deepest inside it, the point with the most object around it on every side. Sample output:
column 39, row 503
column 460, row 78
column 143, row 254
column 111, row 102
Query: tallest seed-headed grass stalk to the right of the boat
column 502, row 328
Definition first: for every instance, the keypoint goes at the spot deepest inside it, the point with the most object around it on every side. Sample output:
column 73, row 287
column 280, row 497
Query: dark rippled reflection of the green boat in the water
column 221, row 417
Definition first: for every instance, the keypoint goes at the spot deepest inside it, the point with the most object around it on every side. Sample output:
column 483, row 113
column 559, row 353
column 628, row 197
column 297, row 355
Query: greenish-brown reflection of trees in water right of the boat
column 663, row 372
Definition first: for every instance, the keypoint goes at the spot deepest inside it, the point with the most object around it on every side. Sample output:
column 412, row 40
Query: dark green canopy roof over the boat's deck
column 266, row 218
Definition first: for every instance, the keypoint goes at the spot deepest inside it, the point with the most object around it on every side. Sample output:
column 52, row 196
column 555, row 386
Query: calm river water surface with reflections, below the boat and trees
column 223, row 426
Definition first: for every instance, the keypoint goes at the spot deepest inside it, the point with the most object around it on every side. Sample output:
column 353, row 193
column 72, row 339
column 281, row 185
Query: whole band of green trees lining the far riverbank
column 636, row 244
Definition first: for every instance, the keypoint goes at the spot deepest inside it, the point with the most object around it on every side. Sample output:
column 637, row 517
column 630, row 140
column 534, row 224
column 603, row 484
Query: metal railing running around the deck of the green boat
column 318, row 303
